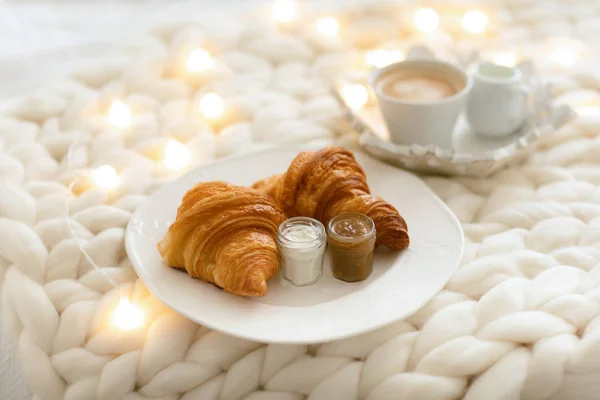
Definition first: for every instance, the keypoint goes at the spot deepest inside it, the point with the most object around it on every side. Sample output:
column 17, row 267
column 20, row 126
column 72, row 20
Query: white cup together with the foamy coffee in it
column 420, row 100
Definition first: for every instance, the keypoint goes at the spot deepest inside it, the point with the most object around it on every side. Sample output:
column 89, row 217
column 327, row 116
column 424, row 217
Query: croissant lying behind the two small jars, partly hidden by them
column 328, row 182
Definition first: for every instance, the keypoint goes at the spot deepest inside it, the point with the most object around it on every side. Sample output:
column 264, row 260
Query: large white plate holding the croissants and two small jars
column 400, row 284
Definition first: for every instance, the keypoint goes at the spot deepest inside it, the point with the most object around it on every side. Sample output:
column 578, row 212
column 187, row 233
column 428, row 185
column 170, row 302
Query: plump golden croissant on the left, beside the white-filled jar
column 225, row 234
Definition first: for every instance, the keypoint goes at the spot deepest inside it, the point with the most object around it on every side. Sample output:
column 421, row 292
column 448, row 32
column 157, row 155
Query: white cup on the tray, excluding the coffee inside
column 422, row 122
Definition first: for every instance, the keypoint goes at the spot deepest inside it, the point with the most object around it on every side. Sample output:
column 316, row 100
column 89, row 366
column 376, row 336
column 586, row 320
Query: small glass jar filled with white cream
column 301, row 242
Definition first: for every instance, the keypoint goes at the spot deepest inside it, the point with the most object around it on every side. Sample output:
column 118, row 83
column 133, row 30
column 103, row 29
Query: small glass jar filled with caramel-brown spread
column 351, row 239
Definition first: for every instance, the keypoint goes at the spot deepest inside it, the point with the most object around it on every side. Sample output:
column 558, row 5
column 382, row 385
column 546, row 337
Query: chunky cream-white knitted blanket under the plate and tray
column 519, row 319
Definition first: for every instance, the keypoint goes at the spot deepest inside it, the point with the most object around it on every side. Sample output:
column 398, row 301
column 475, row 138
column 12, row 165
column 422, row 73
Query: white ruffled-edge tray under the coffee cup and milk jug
column 470, row 155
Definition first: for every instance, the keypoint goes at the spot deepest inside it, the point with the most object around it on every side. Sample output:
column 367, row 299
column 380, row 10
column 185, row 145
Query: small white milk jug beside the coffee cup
column 498, row 102
